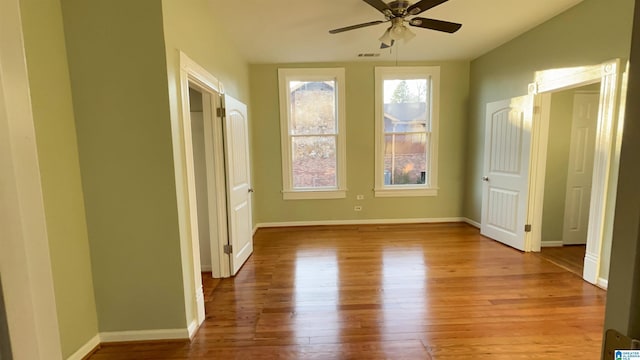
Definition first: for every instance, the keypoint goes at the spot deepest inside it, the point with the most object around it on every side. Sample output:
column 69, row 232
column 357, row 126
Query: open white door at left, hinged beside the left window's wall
column 238, row 182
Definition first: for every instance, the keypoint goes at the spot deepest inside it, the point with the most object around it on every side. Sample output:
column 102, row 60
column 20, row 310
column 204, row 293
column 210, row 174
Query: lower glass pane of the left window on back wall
column 314, row 162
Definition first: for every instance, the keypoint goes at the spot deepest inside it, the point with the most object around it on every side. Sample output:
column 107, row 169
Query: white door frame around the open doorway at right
column 548, row 81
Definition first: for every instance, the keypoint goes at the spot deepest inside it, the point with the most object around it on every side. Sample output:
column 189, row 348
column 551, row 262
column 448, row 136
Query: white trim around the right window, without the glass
column 410, row 72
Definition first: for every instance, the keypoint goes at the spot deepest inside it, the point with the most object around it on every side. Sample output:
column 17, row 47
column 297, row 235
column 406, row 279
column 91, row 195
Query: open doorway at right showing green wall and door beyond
column 569, row 170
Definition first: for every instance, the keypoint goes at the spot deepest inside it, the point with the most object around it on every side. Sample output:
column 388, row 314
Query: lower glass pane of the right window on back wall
column 405, row 159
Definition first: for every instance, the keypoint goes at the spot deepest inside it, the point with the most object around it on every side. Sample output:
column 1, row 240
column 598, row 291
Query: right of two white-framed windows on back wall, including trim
column 406, row 131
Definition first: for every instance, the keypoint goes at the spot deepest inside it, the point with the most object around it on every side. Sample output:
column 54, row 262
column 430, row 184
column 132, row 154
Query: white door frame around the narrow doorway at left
column 192, row 74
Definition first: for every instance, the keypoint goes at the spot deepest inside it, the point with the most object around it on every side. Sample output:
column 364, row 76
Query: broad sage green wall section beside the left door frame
column 118, row 76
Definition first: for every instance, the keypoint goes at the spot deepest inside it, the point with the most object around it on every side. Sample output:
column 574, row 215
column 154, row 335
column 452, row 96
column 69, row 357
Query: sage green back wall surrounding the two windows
column 360, row 105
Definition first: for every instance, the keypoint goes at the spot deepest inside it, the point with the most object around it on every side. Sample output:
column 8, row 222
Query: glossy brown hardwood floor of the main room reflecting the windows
column 436, row 291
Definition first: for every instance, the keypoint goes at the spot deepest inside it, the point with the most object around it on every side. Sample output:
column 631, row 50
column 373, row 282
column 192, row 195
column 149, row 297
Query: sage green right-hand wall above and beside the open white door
column 589, row 33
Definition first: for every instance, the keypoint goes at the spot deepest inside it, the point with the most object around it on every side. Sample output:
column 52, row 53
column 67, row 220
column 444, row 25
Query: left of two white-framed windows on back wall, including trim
column 313, row 136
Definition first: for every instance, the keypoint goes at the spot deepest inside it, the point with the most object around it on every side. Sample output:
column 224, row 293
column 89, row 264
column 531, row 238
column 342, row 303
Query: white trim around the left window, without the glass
column 284, row 76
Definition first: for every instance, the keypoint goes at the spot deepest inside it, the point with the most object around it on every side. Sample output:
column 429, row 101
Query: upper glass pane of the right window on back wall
column 405, row 105
